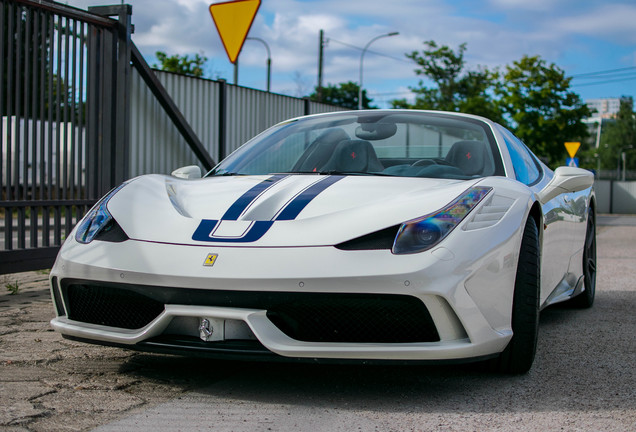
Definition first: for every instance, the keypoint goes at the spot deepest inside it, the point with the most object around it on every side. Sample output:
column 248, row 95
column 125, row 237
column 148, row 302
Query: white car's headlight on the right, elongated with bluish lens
column 423, row 233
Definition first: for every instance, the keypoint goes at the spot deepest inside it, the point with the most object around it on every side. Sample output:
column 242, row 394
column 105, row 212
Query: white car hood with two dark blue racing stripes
column 278, row 210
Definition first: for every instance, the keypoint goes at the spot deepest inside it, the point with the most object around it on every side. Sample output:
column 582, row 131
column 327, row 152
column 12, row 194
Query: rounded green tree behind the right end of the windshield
column 542, row 109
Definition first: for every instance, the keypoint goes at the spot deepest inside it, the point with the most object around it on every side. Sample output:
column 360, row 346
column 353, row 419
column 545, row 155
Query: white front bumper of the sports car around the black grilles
column 467, row 295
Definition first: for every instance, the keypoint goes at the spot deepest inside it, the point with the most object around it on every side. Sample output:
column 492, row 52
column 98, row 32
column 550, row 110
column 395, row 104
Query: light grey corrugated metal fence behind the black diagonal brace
column 222, row 115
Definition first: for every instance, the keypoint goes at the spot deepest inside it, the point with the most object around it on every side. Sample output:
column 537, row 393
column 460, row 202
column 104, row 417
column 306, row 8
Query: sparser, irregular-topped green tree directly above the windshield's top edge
column 455, row 88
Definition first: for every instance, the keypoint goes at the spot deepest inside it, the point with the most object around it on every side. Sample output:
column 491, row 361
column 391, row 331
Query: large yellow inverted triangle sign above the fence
column 233, row 21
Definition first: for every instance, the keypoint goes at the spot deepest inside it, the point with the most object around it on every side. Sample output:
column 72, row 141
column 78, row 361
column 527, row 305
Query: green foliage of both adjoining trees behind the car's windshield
column 530, row 97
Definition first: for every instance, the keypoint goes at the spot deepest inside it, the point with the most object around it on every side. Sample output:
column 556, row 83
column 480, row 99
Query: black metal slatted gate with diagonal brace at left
column 64, row 88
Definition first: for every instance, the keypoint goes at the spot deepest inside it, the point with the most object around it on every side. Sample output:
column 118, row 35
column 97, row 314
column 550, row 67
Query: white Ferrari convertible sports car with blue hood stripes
column 384, row 235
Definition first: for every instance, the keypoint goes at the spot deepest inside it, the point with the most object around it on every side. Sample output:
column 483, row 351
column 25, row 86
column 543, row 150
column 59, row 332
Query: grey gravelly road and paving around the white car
column 583, row 378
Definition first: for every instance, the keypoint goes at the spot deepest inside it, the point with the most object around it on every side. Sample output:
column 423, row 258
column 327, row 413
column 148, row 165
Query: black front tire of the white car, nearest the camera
column 518, row 356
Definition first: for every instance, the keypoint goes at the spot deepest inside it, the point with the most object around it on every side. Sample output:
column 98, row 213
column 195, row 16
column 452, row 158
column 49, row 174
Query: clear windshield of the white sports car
column 383, row 143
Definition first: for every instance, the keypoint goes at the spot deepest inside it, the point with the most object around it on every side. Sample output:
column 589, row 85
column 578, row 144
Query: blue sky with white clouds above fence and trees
column 593, row 41
